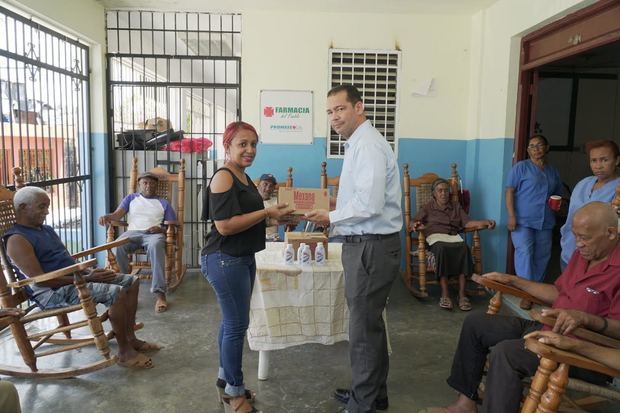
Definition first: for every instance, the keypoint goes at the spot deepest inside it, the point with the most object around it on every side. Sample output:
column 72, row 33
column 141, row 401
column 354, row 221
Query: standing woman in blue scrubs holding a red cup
column 530, row 220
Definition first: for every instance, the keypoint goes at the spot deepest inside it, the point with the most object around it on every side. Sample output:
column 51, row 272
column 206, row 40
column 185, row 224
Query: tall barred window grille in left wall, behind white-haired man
column 44, row 102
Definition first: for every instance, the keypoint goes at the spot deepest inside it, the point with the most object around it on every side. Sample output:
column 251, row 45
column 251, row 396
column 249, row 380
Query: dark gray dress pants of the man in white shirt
column 370, row 267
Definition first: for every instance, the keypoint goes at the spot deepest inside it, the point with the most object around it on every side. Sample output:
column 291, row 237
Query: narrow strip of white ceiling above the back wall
column 335, row 6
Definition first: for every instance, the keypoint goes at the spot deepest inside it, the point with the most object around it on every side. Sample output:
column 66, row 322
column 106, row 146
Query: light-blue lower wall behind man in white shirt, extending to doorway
column 482, row 164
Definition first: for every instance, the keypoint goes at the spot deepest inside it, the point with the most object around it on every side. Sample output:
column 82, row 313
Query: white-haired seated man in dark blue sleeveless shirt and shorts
column 34, row 248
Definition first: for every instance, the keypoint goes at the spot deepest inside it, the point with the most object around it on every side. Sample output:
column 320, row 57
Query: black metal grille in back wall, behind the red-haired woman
column 172, row 75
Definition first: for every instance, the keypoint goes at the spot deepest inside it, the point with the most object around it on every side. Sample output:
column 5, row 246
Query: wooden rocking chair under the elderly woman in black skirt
column 415, row 248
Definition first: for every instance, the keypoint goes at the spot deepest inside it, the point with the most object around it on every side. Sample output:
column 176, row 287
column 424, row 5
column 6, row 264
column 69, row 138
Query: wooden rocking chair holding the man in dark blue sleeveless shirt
column 14, row 294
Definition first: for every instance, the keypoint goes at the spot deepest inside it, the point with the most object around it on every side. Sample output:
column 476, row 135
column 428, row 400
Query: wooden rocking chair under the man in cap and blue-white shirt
column 172, row 188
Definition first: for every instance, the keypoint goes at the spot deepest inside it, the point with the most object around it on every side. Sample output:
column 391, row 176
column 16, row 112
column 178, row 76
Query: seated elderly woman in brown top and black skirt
column 442, row 220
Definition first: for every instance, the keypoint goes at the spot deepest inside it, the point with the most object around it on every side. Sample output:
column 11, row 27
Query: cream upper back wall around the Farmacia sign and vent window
column 290, row 51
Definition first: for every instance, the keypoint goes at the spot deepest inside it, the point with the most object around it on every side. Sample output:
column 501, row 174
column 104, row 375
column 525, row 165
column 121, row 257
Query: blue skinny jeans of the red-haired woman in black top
column 232, row 278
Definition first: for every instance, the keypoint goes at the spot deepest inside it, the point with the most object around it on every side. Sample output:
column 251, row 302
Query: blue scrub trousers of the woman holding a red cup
column 532, row 252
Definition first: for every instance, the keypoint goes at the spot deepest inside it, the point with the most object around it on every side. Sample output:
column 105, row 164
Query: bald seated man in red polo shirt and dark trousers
column 589, row 287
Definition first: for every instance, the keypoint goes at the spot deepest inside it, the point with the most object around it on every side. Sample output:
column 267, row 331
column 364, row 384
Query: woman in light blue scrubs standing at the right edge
column 601, row 186
